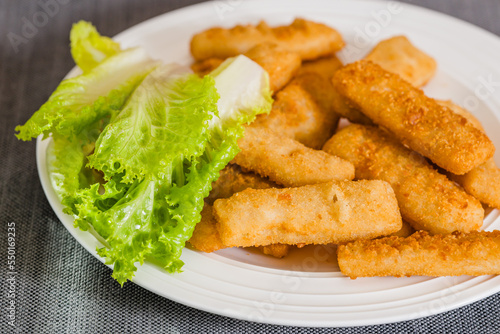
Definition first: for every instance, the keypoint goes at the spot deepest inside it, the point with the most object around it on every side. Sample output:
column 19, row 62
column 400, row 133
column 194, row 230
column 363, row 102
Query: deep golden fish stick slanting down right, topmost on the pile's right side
column 434, row 131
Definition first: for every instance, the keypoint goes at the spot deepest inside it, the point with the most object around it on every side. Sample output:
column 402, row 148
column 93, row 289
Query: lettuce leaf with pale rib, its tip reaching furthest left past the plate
column 81, row 101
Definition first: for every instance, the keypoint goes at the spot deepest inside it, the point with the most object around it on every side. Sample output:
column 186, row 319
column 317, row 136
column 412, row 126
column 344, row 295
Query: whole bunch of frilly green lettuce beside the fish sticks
column 136, row 146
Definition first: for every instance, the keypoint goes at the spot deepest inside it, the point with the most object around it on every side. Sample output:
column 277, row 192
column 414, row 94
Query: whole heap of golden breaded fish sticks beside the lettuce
column 403, row 163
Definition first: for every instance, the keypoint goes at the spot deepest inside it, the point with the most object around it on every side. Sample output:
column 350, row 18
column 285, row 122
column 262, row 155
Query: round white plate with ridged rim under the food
column 306, row 289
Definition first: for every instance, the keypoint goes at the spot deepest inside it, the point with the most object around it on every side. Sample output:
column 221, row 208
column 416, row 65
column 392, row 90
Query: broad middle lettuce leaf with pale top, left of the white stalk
column 164, row 123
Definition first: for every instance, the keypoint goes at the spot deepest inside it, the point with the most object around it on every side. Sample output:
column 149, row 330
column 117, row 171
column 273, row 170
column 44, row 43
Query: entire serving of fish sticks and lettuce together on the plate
column 149, row 156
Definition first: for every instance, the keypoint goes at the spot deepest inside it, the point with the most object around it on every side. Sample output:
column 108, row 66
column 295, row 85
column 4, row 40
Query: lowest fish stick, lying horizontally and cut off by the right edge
column 475, row 253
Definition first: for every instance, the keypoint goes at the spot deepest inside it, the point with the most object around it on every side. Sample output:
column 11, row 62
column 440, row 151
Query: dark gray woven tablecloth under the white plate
column 60, row 287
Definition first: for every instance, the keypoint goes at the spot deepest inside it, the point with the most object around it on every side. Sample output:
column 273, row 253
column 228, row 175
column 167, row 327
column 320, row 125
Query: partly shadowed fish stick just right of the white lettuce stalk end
column 298, row 115
